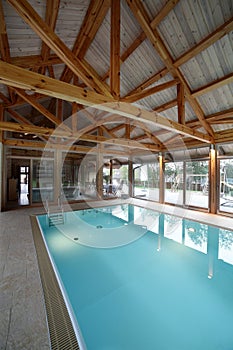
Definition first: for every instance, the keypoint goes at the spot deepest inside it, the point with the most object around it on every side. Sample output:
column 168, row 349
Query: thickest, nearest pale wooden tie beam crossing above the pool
column 18, row 77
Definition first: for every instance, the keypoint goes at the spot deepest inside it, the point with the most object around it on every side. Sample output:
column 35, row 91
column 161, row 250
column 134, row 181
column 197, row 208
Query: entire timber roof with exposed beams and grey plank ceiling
column 128, row 75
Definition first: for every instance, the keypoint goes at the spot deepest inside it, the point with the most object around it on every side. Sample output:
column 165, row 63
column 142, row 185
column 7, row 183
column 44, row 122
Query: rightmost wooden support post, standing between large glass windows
column 213, row 185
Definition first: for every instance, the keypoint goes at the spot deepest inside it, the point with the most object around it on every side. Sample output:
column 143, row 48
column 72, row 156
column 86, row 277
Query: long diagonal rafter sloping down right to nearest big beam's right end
column 153, row 35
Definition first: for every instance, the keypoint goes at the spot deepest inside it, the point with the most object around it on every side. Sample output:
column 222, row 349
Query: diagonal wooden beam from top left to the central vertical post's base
column 31, row 17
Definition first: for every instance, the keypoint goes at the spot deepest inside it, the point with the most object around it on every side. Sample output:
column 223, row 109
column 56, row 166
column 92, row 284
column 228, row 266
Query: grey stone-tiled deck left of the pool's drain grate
column 22, row 312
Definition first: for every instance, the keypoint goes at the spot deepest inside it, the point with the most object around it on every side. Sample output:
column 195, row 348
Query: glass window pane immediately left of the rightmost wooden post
column 197, row 183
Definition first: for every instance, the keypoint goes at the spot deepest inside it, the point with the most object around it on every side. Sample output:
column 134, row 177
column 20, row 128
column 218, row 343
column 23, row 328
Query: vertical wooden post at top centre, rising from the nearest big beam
column 115, row 48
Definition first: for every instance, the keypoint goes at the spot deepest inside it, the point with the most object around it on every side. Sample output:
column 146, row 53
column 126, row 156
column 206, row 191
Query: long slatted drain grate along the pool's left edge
column 62, row 335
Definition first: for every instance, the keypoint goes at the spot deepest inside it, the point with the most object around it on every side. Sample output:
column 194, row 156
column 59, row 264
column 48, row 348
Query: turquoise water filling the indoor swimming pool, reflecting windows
column 167, row 287
